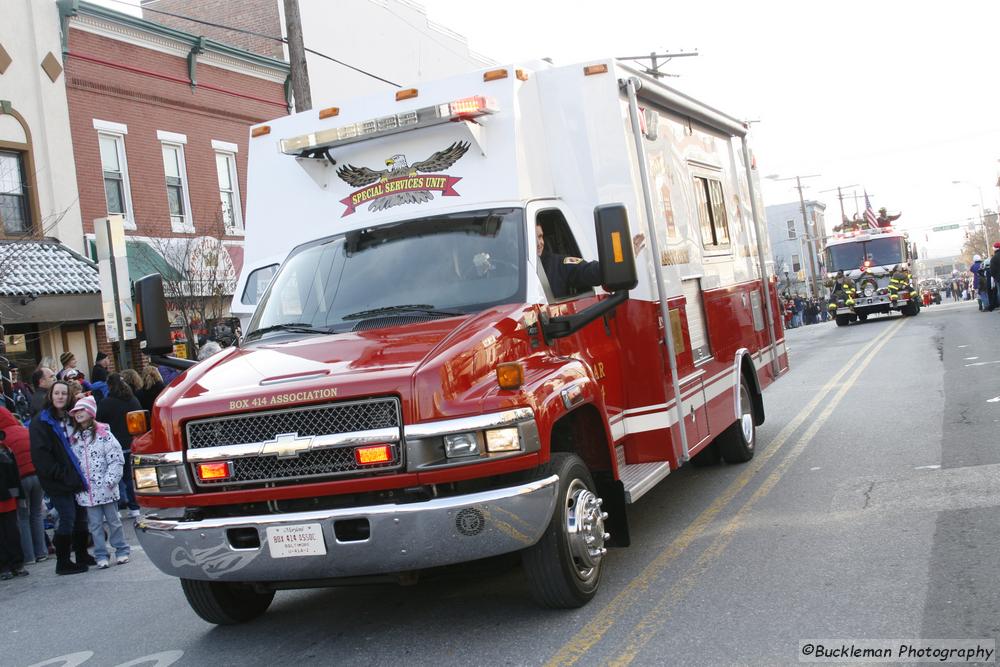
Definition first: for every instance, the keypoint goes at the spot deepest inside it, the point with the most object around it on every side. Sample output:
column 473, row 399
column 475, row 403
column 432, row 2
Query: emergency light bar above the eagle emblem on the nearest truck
column 469, row 108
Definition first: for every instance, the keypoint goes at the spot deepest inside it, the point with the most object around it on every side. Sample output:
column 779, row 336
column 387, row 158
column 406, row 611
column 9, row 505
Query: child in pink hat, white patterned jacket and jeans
column 102, row 462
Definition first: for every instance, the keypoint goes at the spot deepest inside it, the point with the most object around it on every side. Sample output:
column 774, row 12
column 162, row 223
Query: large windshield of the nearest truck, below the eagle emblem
column 430, row 267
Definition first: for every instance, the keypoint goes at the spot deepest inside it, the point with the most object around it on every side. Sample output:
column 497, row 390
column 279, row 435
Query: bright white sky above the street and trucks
column 894, row 97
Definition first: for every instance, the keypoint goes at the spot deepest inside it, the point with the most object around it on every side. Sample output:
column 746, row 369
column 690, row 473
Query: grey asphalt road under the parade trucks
column 869, row 512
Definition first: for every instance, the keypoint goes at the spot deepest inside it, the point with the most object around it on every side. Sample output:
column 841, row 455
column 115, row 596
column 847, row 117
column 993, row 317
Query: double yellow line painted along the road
column 594, row 631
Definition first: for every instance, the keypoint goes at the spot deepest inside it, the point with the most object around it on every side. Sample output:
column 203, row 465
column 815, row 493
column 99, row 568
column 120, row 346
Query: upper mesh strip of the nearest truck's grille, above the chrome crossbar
column 314, row 420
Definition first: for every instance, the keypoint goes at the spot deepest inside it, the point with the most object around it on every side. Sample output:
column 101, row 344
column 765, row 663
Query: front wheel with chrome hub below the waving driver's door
column 563, row 571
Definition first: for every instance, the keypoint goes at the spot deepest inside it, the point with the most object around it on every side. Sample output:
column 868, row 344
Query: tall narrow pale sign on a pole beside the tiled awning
column 116, row 290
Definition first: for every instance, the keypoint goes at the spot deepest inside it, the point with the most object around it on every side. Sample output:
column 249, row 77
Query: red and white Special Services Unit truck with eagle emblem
column 414, row 389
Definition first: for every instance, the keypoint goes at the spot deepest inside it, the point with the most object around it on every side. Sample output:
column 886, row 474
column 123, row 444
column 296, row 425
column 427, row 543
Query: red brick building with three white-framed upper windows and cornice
column 159, row 120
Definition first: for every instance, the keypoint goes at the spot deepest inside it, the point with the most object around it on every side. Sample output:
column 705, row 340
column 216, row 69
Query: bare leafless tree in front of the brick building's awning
column 201, row 282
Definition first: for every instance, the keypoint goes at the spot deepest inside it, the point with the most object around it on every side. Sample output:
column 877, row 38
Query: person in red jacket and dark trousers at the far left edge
column 31, row 507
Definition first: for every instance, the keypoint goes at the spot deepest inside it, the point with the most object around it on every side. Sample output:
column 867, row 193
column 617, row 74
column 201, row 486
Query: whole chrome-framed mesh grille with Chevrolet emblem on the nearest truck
column 320, row 420
